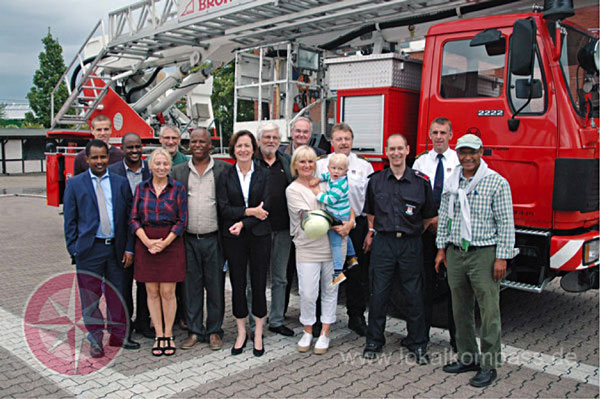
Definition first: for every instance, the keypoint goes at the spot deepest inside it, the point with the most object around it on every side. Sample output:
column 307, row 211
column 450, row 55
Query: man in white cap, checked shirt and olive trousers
column 476, row 237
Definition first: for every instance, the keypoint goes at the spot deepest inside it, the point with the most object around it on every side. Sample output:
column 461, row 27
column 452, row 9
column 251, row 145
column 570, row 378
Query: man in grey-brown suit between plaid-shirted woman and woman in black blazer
column 200, row 176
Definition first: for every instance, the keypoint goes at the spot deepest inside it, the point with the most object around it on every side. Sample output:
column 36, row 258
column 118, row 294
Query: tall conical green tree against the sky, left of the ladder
column 52, row 66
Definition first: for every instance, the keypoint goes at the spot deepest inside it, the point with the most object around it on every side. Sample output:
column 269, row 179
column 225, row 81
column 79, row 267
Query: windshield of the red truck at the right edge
column 578, row 82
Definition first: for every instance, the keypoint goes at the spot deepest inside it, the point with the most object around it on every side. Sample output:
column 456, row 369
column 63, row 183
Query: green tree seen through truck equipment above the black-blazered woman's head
column 222, row 101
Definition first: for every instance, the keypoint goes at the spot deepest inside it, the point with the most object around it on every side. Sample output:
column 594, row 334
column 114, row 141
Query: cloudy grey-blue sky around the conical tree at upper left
column 23, row 23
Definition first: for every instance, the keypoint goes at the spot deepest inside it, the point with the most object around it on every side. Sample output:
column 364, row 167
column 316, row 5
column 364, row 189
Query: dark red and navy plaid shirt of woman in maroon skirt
column 170, row 208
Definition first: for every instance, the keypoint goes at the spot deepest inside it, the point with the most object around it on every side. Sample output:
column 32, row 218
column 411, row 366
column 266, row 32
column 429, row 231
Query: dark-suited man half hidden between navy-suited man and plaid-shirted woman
column 136, row 170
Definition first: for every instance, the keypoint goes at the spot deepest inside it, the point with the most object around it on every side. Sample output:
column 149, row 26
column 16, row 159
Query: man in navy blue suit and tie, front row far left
column 96, row 220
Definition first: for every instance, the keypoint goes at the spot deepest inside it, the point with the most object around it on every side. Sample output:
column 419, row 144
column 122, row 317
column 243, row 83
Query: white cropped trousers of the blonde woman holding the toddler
column 309, row 276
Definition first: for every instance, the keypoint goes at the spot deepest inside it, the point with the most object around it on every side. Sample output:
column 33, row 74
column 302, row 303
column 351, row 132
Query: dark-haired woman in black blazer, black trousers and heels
column 243, row 199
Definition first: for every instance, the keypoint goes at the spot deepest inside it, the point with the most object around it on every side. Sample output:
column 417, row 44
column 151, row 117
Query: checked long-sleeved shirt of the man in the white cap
column 492, row 221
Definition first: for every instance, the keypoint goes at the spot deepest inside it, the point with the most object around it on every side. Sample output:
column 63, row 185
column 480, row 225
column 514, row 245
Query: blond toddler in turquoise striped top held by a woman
column 337, row 203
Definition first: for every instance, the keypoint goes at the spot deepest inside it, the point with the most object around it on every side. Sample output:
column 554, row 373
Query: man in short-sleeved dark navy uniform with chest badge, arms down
column 399, row 206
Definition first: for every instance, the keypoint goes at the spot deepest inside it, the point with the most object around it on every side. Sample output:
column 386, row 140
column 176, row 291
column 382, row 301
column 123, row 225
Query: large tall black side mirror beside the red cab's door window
column 521, row 47
